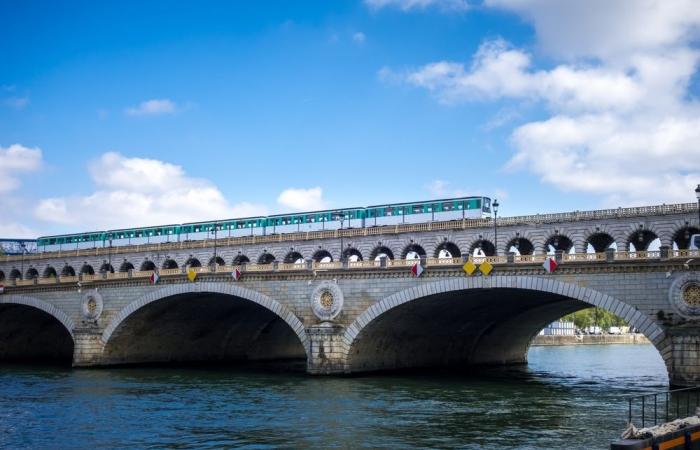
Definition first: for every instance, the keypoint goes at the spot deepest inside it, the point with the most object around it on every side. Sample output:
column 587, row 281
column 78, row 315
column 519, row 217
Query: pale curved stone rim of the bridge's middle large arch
column 228, row 289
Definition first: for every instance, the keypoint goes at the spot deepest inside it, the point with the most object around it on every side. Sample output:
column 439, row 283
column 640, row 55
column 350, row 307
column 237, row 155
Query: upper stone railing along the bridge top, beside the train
column 658, row 210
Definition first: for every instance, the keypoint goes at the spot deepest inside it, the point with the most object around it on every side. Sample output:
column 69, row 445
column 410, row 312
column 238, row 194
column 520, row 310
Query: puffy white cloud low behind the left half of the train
column 137, row 192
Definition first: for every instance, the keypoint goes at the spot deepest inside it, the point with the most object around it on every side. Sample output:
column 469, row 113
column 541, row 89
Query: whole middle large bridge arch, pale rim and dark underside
column 272, row 317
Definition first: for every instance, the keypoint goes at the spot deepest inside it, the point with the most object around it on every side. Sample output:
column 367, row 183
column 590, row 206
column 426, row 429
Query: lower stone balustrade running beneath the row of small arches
column 379, row 264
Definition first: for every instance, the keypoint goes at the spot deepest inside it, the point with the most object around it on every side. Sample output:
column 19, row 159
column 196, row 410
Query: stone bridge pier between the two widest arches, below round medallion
column 328, row 349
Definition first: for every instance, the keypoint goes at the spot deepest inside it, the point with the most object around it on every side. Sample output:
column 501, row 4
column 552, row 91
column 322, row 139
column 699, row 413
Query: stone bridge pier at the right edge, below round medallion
column 684, row 367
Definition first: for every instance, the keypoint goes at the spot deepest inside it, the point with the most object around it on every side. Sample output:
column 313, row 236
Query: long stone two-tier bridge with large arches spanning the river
column 363, row 311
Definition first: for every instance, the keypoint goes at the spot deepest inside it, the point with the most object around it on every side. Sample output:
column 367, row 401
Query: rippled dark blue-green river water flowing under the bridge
column 567, row 397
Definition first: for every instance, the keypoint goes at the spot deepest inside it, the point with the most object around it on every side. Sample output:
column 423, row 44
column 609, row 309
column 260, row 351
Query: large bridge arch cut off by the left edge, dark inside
column 31, row 328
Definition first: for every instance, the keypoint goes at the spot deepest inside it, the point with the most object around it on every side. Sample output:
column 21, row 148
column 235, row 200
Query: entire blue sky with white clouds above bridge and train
column 130, row 113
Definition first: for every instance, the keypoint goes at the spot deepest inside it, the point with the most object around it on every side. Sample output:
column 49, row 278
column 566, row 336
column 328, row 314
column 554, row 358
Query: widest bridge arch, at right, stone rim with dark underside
column 466, row 328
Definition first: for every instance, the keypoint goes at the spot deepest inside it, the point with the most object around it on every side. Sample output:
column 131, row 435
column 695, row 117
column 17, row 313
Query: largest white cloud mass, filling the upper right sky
column 622, row 122
